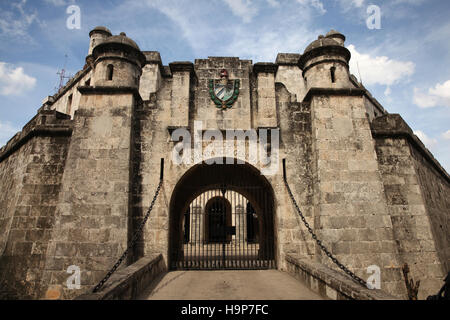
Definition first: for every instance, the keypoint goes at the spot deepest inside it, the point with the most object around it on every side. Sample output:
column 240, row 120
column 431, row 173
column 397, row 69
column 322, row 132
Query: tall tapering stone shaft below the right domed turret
column 351, row 215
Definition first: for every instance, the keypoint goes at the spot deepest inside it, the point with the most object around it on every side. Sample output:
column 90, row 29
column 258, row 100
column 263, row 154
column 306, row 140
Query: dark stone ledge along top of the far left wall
column 45, row 123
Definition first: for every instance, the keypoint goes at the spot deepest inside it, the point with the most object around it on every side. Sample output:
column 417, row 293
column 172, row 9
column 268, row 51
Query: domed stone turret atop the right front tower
column 325, row 62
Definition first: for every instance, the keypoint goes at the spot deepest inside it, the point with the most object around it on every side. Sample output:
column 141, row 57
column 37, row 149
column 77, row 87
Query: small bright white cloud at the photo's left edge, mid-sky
column 14, row 81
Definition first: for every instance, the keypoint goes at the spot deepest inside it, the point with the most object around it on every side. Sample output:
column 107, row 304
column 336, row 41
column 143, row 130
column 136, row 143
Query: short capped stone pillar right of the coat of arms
column 267, row 111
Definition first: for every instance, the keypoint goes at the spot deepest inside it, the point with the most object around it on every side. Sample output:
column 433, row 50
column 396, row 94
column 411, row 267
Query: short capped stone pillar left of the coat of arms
column 182, row 73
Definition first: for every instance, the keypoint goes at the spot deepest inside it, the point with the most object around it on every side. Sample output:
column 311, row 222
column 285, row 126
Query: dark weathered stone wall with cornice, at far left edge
column 31, row 168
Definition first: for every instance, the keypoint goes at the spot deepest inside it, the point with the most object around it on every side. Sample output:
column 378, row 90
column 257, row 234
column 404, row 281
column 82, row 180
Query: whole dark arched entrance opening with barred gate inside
column 222, row 217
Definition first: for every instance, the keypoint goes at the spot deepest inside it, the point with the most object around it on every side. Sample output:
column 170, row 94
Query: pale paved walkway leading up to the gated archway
column 228, row 285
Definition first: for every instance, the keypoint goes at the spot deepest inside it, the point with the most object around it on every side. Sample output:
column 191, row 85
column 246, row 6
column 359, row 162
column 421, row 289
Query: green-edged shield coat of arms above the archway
column 224, row 92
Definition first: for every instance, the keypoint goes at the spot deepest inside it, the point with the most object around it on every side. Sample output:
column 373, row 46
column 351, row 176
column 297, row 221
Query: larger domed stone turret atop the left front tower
column 118, row 62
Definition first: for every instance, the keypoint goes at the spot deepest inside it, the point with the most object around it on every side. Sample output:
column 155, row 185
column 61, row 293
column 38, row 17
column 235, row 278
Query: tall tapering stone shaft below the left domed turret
column 91, row 222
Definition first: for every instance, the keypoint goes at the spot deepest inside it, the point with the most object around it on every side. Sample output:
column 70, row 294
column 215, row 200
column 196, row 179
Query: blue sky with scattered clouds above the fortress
column 404, row 61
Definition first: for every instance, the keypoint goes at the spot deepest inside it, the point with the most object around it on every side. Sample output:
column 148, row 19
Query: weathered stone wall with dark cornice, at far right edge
column 416, row 198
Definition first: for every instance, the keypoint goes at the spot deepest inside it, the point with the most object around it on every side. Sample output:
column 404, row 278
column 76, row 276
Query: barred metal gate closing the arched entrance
column 222, row 229
